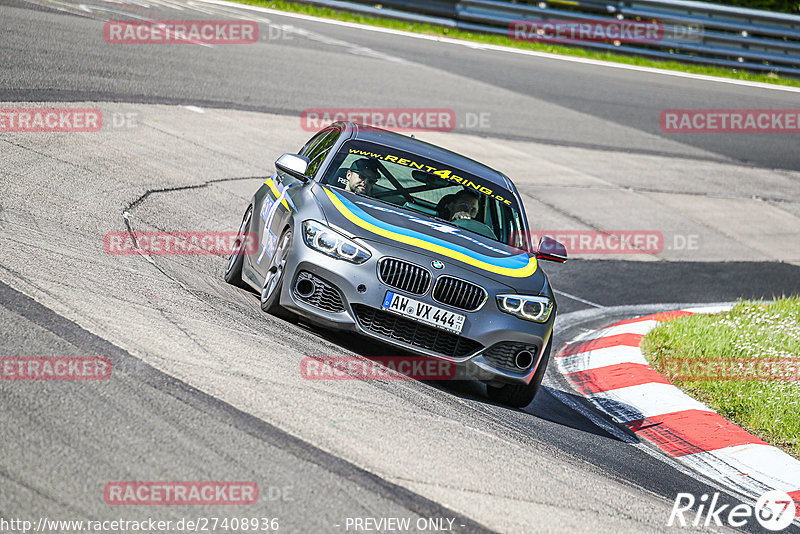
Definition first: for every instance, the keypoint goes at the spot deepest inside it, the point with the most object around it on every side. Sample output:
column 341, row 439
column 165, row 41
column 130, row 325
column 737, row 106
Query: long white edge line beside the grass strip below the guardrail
column 506, row 49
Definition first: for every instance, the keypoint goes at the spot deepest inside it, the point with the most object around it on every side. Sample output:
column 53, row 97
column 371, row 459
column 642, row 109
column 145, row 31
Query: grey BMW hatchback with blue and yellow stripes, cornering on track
column 399, row 240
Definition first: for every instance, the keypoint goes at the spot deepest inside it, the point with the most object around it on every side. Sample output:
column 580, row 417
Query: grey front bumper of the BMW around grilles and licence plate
column 482, row 349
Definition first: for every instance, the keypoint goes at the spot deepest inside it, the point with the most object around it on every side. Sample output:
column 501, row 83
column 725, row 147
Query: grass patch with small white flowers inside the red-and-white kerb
column 752, row 330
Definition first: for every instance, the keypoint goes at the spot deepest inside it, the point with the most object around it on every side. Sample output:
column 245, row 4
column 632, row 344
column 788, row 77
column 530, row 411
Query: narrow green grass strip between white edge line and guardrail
column 442, row 31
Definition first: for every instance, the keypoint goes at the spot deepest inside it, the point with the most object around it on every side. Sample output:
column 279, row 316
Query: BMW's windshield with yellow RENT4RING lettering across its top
column 431, row 188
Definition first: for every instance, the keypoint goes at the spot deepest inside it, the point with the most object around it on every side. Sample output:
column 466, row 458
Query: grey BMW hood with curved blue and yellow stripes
column 377, row 221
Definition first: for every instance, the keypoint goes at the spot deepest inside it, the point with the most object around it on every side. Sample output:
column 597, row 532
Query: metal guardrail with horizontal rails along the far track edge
column 694, row 32
